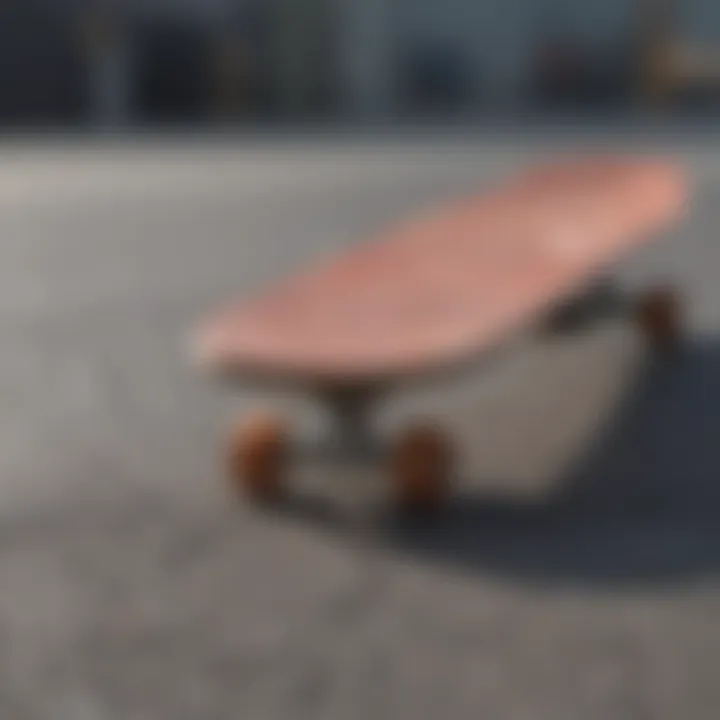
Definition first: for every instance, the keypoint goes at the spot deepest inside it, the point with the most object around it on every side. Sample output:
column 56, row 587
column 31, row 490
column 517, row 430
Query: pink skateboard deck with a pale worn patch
column 442, row 286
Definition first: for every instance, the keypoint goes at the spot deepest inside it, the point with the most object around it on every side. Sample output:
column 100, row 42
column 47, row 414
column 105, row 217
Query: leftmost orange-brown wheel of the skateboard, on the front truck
column 257, row 458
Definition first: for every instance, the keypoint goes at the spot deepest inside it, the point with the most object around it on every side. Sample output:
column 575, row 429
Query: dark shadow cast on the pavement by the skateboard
column 642, row 507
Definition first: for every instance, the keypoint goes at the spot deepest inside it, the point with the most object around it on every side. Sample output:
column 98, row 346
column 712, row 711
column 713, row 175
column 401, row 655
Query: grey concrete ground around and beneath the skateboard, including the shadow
column 575, row 577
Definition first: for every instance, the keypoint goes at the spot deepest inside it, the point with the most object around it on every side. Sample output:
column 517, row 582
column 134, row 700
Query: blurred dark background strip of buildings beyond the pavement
column 133, row 62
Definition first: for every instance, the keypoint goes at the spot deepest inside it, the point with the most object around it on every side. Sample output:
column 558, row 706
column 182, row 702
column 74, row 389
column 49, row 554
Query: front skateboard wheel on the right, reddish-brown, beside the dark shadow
column 420, row 466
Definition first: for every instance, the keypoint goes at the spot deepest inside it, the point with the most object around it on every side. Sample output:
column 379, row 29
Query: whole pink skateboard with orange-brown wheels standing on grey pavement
column 427, row 294
